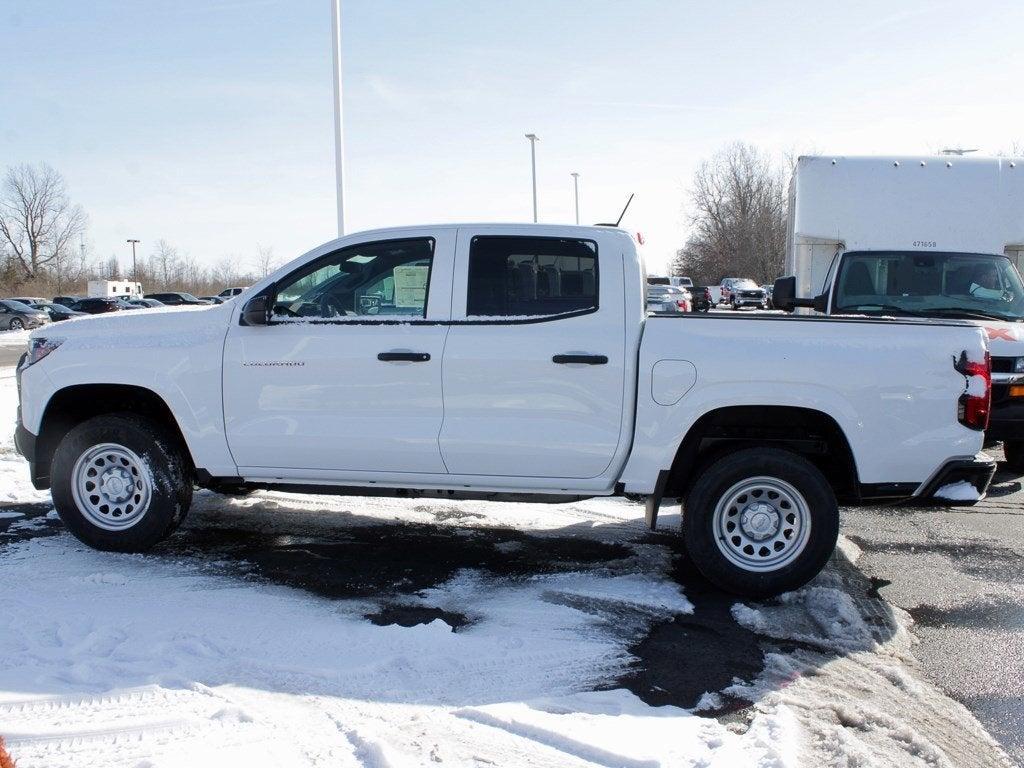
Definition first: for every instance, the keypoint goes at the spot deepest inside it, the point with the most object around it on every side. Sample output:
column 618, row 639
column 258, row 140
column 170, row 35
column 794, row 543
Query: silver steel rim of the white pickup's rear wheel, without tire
column 762, row 524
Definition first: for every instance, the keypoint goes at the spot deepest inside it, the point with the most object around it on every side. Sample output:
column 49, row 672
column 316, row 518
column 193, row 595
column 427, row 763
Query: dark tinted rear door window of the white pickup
column 529, row 277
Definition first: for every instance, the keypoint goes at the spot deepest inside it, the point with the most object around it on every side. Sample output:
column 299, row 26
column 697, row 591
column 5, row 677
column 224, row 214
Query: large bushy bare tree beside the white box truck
column 739, row 219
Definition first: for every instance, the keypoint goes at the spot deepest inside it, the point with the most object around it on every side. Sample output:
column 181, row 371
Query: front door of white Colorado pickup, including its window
column 348, row 375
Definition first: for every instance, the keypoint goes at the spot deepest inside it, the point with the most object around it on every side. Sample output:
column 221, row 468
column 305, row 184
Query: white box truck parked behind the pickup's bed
column 920, row 237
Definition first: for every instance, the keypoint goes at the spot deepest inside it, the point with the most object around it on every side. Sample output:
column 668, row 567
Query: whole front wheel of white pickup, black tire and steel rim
column 120, row 483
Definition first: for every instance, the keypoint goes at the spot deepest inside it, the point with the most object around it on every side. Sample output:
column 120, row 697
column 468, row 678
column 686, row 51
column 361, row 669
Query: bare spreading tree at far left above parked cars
column 39, row 225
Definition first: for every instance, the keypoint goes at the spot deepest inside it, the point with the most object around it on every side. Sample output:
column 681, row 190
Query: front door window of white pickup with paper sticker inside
column 380, row 280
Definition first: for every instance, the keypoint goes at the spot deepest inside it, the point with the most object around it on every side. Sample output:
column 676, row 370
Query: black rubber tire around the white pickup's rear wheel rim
column 821, row 513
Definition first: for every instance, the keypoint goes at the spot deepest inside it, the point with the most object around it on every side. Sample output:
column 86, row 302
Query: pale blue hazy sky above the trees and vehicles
column 209, row 122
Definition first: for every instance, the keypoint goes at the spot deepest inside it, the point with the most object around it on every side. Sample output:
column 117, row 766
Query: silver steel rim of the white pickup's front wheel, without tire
column 112, row 487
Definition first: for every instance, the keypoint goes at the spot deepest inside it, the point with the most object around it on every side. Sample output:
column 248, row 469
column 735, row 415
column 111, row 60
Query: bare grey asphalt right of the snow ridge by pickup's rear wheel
column 959, row 573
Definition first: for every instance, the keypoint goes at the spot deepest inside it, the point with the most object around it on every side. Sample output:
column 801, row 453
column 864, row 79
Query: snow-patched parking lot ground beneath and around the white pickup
column 317, row 630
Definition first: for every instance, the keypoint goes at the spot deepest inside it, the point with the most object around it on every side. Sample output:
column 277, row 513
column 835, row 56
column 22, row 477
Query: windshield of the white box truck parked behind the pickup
column 942, row 285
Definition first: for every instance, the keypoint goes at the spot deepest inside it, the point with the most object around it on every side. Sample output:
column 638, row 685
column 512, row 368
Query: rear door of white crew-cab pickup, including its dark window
column 535, row 359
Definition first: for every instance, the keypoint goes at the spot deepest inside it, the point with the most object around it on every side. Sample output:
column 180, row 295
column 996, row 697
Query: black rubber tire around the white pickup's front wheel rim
column 169, row 497
